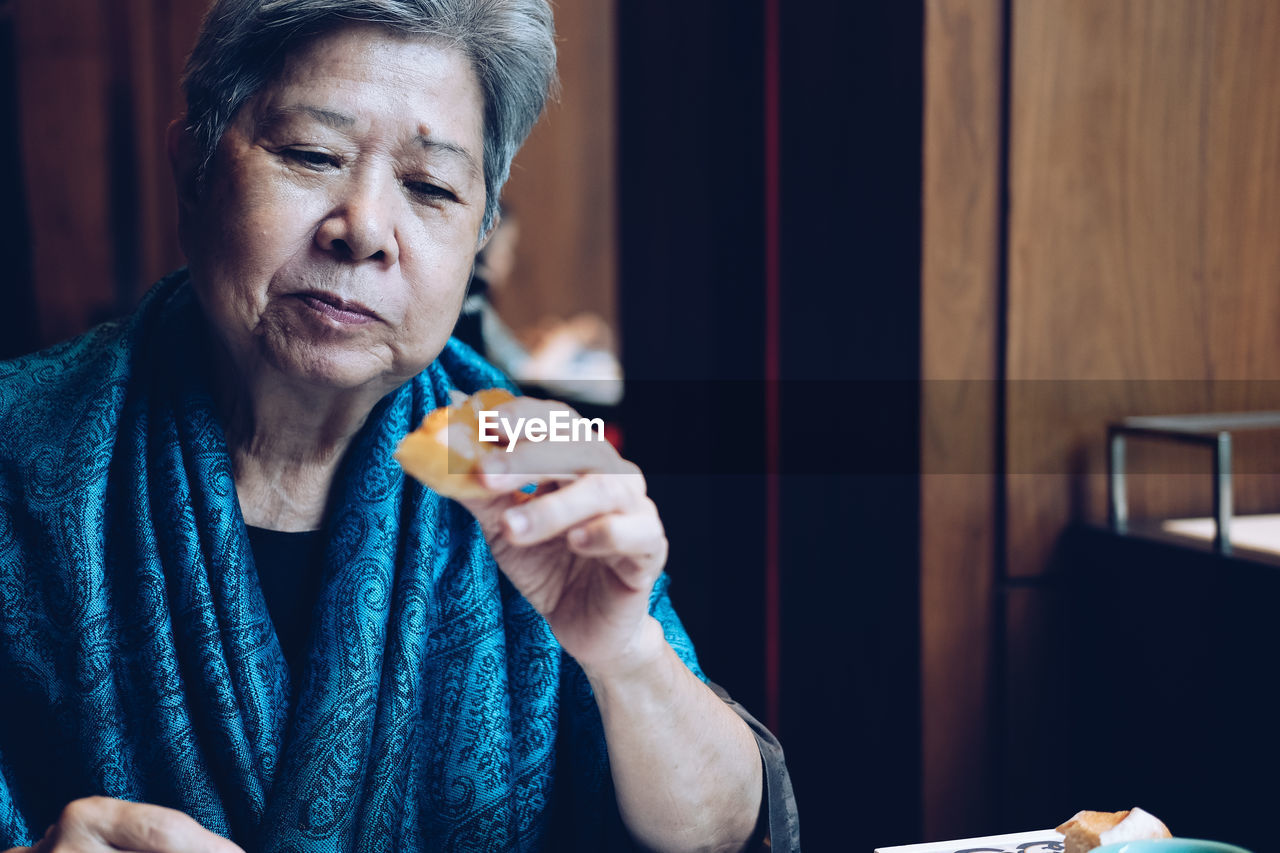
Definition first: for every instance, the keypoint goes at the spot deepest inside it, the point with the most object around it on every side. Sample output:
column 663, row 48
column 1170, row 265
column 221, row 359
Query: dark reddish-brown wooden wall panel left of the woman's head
column 99, row 85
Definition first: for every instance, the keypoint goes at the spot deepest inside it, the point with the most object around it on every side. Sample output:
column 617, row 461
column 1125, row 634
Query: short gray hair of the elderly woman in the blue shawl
column 511, row 45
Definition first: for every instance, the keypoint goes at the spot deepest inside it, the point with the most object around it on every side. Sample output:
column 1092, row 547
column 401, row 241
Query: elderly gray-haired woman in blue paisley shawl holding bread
column 226, row 612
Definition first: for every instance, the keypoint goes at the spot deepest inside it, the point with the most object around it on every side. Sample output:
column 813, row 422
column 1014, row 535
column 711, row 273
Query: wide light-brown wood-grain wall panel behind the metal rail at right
column 1145, row 184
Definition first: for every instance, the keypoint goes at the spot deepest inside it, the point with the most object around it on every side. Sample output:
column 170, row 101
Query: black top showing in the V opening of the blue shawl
column 290, row 567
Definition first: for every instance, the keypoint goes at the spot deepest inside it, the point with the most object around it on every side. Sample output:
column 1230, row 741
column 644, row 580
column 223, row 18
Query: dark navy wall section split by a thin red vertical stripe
column 693, row 308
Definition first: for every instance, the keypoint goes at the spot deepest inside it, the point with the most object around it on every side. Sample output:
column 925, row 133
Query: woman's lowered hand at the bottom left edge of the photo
column 103, row 825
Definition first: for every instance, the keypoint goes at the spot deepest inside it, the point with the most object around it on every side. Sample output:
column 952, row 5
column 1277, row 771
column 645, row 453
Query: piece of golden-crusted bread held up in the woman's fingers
column 445, row 453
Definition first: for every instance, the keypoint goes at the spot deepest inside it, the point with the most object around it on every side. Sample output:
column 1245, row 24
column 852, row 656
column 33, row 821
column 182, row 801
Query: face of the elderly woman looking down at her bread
column 336, row 235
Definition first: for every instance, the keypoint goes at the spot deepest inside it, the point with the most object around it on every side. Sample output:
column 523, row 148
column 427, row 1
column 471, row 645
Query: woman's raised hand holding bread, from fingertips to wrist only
column 587, row 549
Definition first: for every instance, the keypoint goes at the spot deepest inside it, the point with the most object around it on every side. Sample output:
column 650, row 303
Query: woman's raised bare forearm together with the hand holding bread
column 586, row 553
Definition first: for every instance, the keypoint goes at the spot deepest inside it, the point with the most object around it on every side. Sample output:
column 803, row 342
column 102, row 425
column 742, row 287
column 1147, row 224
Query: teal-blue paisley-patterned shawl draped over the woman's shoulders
column 139, row 660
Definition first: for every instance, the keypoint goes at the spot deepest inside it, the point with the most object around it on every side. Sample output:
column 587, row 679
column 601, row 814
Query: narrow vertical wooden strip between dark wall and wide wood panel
column 959, row 363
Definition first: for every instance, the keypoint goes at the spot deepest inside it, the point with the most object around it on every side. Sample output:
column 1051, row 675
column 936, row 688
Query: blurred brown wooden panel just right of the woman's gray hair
column 564, row 184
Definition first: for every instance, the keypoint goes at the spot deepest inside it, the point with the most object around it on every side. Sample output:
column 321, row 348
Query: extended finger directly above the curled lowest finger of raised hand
column 595, row 495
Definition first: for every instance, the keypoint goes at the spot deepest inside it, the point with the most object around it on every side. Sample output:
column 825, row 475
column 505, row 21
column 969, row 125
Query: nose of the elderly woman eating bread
column 362, row 226
